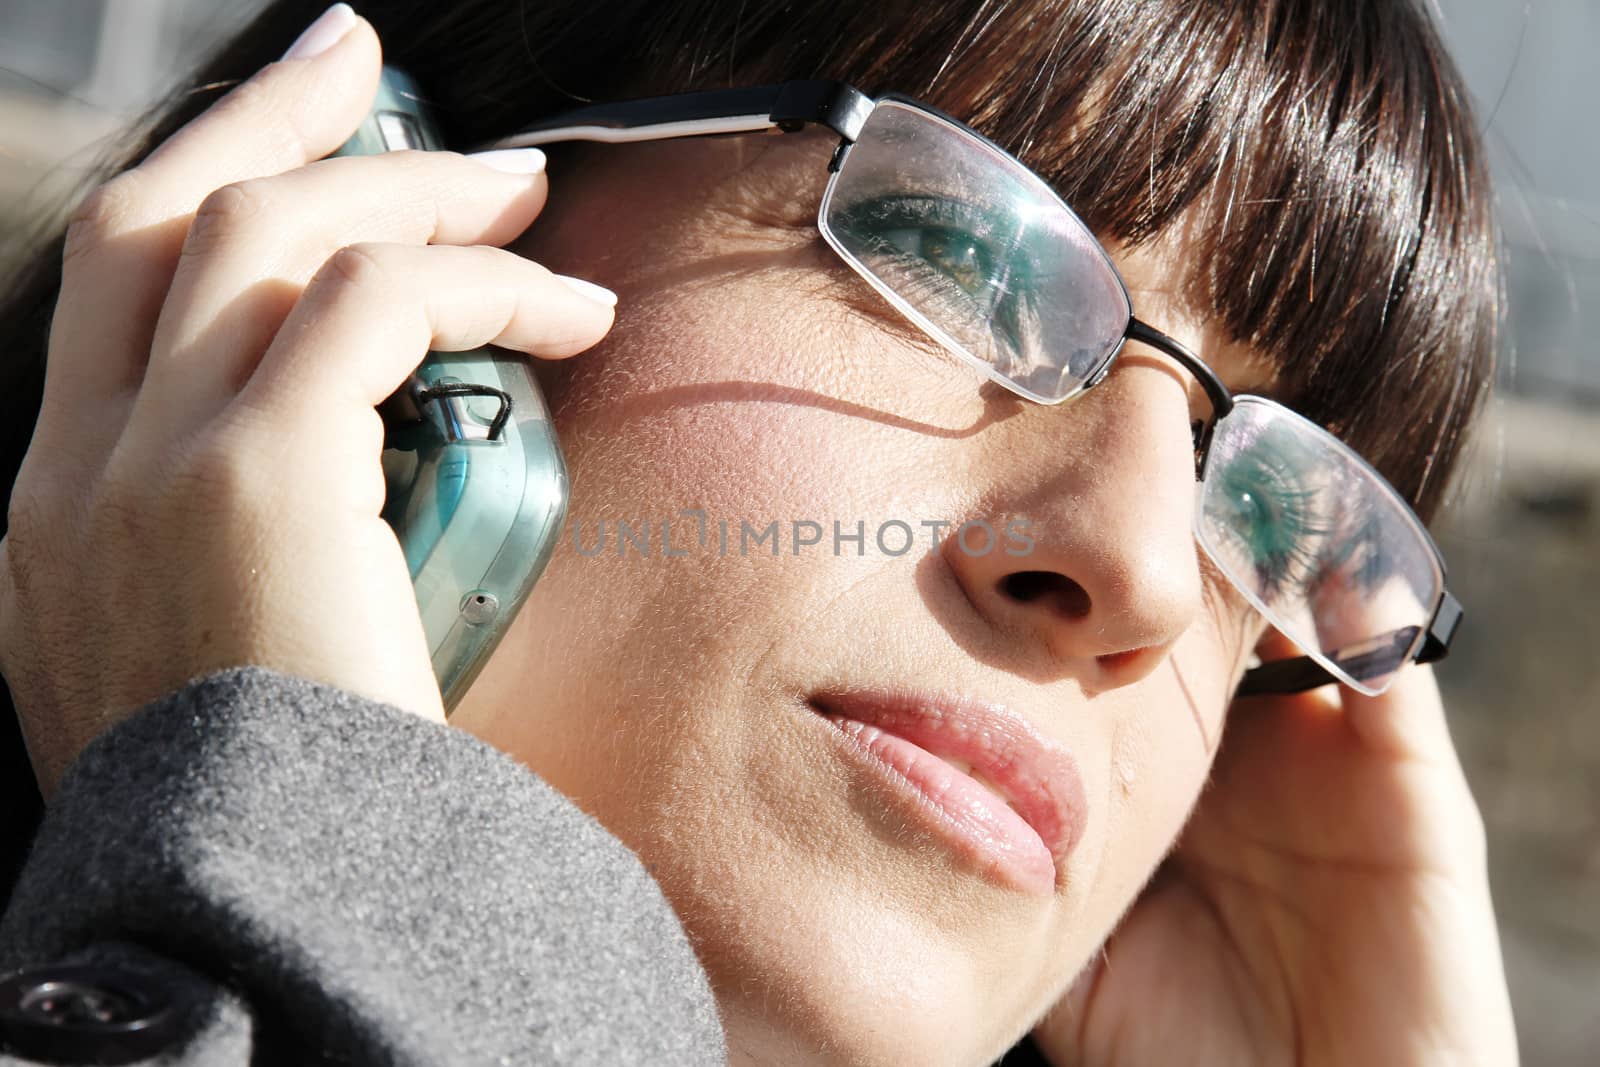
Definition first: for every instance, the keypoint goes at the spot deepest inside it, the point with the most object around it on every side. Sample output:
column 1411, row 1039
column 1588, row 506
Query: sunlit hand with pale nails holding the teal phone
column 204, row 486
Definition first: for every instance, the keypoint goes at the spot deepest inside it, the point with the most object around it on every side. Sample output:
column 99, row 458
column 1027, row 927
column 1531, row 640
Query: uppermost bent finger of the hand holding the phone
column 126, row 239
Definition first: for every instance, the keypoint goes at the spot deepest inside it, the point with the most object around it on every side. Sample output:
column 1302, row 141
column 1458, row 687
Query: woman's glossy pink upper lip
column 1033, row 773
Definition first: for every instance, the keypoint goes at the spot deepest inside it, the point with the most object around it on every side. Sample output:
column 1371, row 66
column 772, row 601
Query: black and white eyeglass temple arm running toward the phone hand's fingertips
column 786, row 106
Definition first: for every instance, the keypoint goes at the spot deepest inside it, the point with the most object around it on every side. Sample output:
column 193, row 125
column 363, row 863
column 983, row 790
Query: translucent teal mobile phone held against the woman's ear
column 478, row 486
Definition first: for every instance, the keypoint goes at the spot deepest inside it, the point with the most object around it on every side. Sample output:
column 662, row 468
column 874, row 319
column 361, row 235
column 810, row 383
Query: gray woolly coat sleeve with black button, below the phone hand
column 262, row 869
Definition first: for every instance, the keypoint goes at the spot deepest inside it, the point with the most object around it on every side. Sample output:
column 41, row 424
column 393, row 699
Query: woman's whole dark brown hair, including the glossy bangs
column 1319, row 153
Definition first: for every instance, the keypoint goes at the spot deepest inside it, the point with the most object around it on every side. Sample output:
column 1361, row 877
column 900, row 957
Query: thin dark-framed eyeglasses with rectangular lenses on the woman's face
column 985, row 258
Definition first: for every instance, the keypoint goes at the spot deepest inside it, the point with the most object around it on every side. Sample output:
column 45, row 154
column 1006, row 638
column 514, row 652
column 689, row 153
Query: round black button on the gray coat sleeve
column 87, row 1015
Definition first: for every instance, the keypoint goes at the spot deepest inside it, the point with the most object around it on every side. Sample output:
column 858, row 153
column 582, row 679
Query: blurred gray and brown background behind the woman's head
column 1522, row 533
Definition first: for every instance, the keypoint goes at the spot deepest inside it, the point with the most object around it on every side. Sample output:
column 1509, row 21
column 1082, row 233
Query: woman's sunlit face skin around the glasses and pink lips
column 754, row 378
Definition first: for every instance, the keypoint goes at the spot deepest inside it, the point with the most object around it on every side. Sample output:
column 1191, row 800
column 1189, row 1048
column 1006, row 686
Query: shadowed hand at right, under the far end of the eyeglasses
column 1327, row 905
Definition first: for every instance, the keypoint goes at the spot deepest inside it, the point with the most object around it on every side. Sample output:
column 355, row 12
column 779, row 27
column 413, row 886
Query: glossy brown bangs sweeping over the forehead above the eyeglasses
column 1318, row 154
